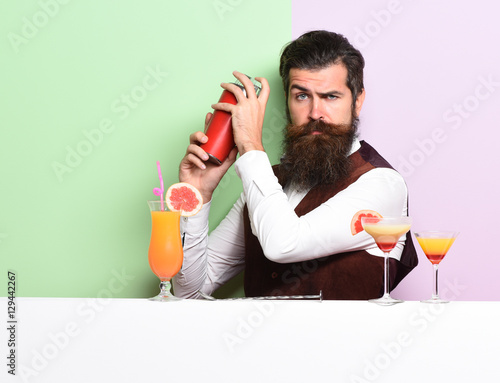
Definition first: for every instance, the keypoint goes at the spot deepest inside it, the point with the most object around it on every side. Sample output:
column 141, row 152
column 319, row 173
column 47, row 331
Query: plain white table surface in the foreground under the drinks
column 136, row 340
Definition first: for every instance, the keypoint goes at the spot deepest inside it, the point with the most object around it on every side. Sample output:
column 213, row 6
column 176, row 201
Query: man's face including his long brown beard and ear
column 318, row 141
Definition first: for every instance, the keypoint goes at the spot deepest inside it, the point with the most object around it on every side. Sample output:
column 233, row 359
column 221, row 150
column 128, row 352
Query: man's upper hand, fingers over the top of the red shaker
column 248, row 114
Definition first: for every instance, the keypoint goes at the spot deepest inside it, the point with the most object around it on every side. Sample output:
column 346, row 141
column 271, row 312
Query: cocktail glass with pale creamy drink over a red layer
column 386, row 233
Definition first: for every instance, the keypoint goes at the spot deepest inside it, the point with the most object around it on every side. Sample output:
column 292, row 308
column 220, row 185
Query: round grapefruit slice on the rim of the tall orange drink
column 185, row 198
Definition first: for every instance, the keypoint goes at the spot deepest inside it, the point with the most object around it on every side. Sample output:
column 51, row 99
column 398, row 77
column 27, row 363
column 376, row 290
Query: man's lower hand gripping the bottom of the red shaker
column 193, row 169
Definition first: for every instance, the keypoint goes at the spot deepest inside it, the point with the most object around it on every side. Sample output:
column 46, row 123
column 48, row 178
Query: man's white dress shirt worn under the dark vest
column 211, row 260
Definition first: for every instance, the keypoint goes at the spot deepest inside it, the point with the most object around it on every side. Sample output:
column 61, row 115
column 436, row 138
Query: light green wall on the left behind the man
column 94, row 93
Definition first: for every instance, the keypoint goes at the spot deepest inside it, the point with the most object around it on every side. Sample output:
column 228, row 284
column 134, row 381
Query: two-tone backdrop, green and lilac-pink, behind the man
column 94, row 93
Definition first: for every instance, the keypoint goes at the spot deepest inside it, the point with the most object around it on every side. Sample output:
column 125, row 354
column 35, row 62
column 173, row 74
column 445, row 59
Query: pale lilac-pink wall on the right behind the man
column 432, row 109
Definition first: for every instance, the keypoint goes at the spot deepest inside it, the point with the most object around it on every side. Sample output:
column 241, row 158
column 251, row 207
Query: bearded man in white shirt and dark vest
column 290, row 230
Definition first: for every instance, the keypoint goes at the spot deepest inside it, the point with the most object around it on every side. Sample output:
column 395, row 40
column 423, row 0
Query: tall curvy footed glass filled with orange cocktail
column 165, row 248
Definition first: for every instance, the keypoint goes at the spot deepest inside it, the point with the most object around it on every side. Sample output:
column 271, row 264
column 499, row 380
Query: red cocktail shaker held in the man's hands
column 220, row 129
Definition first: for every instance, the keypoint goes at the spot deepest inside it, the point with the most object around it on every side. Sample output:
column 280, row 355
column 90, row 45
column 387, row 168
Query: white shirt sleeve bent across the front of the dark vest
column 286, row 238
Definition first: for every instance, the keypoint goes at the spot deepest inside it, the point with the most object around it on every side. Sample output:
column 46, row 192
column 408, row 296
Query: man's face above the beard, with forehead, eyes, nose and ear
column 322, row 95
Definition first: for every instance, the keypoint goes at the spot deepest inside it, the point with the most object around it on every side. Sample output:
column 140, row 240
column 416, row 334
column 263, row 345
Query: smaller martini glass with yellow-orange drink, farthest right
column 435, row 245
